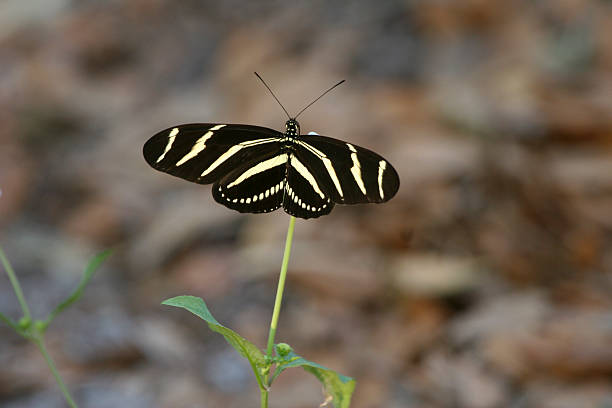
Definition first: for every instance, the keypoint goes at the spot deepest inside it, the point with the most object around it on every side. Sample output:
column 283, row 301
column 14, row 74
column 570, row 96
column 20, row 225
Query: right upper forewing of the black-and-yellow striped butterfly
column 347, row 173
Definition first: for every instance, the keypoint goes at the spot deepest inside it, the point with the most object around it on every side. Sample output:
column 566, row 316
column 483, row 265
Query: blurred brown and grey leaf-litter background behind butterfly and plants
column 484, row 283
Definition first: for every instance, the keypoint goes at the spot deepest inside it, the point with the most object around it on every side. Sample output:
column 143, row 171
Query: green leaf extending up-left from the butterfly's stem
column 246, row 349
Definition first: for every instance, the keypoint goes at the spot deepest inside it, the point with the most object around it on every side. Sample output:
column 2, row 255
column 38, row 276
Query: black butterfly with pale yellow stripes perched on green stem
column 257, row 170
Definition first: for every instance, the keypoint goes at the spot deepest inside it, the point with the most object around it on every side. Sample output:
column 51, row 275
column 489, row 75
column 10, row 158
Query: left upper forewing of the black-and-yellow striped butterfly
column 206, row 152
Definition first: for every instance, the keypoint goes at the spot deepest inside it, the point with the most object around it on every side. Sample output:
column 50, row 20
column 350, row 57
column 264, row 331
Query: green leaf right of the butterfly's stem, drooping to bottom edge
column 339, row 387
